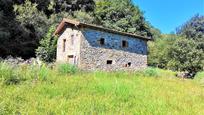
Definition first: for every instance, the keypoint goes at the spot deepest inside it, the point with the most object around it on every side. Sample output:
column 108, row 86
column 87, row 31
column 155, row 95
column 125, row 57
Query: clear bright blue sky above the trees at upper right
column 167, row 15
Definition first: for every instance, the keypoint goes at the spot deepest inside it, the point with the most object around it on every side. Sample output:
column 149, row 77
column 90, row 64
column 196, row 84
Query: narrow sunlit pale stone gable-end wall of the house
column 71, row 54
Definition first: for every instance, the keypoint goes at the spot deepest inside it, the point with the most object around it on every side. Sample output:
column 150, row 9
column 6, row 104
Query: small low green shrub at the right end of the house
column 151, row 72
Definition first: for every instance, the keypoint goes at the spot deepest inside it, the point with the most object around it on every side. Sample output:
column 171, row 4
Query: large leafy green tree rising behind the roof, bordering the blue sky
column 121, row 15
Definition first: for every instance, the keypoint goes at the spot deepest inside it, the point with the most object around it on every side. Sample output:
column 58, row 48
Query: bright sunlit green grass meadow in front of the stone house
column 48, row 91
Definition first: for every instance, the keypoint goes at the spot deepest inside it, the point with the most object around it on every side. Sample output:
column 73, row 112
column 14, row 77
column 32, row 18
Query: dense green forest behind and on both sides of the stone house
column 26, row 28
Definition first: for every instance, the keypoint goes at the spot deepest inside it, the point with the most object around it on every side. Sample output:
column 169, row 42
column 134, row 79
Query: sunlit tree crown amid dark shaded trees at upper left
column 31, row 18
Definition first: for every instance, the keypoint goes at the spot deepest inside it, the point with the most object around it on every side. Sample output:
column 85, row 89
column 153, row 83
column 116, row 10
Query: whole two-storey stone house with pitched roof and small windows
column 92, row 47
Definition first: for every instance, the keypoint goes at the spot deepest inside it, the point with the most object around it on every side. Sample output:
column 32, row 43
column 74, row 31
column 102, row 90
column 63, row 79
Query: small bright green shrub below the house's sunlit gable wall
column 66, row 69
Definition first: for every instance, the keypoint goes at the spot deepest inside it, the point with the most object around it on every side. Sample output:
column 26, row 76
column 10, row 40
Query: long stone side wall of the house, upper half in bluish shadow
column 95, row 56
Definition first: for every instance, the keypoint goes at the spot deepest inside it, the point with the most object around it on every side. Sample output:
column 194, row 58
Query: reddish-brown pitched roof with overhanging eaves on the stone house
column 78, row 24
